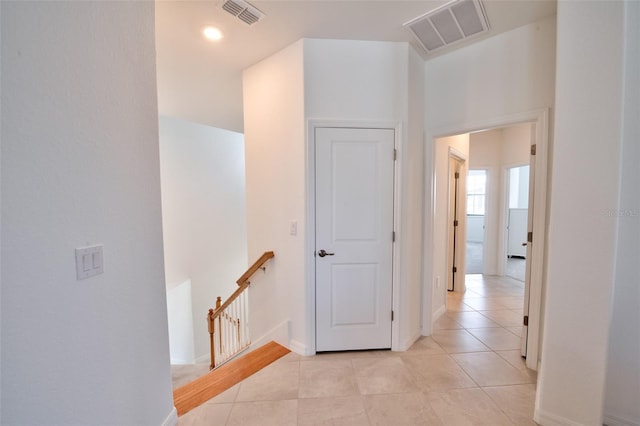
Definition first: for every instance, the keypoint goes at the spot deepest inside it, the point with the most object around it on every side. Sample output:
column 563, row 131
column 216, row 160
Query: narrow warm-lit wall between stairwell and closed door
column 275, row 179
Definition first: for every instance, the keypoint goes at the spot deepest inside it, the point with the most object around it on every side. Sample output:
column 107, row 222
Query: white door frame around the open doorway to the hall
column 541, row 120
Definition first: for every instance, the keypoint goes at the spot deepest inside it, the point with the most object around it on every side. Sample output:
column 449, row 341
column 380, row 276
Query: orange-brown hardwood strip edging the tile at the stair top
column 191, row 395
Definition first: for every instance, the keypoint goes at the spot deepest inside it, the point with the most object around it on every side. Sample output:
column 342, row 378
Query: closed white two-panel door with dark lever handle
column 354, row 172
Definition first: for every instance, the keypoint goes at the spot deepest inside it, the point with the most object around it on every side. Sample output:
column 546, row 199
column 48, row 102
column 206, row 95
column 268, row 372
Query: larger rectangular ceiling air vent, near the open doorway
column 449, row 24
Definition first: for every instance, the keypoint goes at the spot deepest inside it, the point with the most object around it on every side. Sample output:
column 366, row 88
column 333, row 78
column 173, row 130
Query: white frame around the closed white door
column 310, row 240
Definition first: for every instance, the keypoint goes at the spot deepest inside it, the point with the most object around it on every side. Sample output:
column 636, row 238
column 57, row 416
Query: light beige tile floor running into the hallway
column 469, row 372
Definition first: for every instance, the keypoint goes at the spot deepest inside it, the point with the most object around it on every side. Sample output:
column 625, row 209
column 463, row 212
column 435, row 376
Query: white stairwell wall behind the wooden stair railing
column 203, row 214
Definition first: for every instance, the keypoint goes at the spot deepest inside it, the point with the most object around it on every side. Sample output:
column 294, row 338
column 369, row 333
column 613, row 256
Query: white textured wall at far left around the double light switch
column 79, row 166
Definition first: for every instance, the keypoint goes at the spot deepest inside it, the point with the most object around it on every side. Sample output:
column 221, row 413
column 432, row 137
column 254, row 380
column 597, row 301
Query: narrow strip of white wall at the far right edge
column 623, row 364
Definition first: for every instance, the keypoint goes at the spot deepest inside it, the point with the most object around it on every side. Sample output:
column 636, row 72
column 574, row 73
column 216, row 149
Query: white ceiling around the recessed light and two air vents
column 201, row 81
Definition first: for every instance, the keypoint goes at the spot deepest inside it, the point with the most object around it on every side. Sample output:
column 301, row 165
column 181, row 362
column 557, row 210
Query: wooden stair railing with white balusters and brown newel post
column 228, row 323
